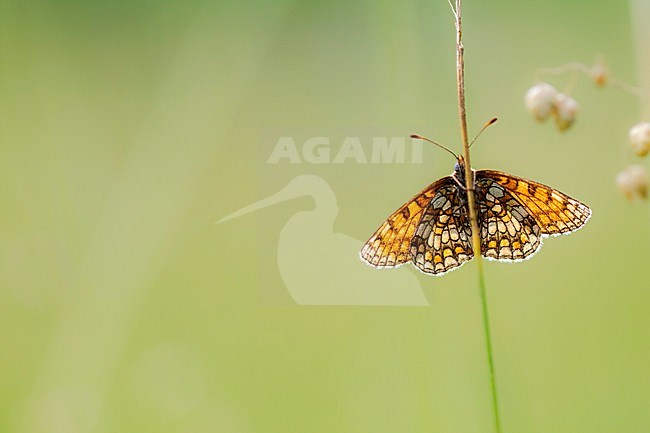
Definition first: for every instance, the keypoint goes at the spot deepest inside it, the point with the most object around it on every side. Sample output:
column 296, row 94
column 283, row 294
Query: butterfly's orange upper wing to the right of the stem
column 555, row 212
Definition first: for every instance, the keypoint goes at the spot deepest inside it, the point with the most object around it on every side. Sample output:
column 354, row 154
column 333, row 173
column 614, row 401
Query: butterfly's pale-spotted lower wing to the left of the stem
column 443, row 239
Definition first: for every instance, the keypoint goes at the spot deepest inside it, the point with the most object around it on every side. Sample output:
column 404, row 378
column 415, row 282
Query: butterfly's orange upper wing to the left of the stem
column 390, row 245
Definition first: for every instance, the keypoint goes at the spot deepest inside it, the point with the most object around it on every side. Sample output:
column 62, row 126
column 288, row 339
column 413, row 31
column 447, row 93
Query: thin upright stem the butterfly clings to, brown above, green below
column 469, row 184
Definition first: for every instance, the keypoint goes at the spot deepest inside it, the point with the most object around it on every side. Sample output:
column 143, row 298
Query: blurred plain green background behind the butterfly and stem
column 129, row 127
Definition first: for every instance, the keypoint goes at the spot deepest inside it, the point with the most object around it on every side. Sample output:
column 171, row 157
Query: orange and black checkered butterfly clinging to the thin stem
column 433, row 230
